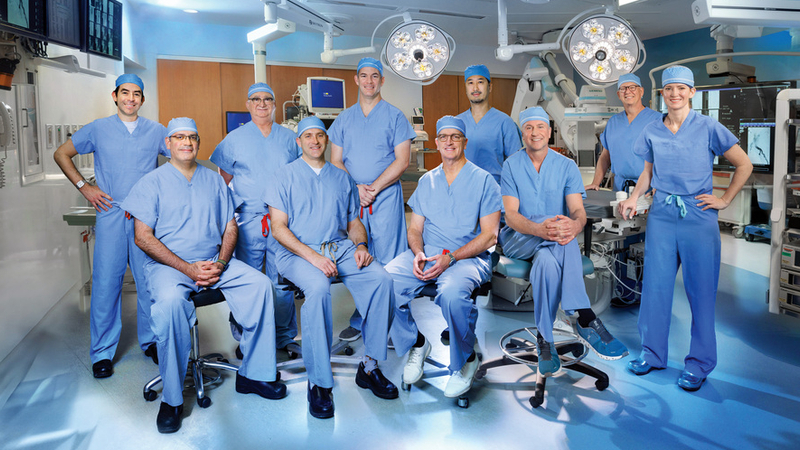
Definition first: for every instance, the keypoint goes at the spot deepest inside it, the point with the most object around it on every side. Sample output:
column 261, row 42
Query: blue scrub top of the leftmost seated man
column 189, row 218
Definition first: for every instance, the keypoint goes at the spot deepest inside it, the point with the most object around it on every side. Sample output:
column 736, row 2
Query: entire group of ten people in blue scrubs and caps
column 280, row 208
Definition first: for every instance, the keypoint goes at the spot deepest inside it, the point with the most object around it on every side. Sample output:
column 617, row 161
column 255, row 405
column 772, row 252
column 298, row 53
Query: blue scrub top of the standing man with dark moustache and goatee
column 491, row 141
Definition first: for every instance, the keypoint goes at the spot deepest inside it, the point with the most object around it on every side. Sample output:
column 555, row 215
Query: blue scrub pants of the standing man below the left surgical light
column 386, row 230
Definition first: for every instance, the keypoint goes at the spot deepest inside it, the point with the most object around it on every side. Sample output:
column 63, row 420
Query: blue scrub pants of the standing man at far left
column 114, row 249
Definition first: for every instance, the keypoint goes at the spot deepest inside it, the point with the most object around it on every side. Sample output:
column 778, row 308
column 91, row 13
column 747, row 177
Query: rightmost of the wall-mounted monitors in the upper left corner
column 103, row 28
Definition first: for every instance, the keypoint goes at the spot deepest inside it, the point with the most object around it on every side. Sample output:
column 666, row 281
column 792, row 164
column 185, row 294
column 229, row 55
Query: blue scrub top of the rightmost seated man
column 541, row 194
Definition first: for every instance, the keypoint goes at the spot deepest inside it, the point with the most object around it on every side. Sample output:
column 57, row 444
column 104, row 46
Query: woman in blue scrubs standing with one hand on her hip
column 682, row 227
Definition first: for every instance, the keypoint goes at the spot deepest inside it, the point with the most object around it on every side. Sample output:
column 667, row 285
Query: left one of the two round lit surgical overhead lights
column 418, row 51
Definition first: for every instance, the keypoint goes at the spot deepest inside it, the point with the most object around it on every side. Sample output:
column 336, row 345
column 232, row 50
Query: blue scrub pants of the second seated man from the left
column 371, row 288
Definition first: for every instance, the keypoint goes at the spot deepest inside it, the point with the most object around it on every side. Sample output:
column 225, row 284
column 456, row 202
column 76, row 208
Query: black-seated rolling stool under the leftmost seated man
column 199, row 366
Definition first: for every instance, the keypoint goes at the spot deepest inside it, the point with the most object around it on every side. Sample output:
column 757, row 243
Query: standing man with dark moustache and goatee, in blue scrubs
column 493, row 136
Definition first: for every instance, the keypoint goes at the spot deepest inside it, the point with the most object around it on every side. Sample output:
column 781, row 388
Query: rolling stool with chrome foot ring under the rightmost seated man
column 519, row 346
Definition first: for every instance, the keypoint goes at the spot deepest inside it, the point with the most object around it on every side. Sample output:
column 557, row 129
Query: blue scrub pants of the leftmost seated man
column 249, row 295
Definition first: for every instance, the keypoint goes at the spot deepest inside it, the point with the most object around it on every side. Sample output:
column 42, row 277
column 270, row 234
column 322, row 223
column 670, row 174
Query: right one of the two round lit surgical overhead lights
column 602, row 48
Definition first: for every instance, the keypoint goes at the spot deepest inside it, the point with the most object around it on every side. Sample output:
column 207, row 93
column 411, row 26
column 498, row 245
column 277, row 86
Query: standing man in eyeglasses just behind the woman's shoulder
column 620, row 134
